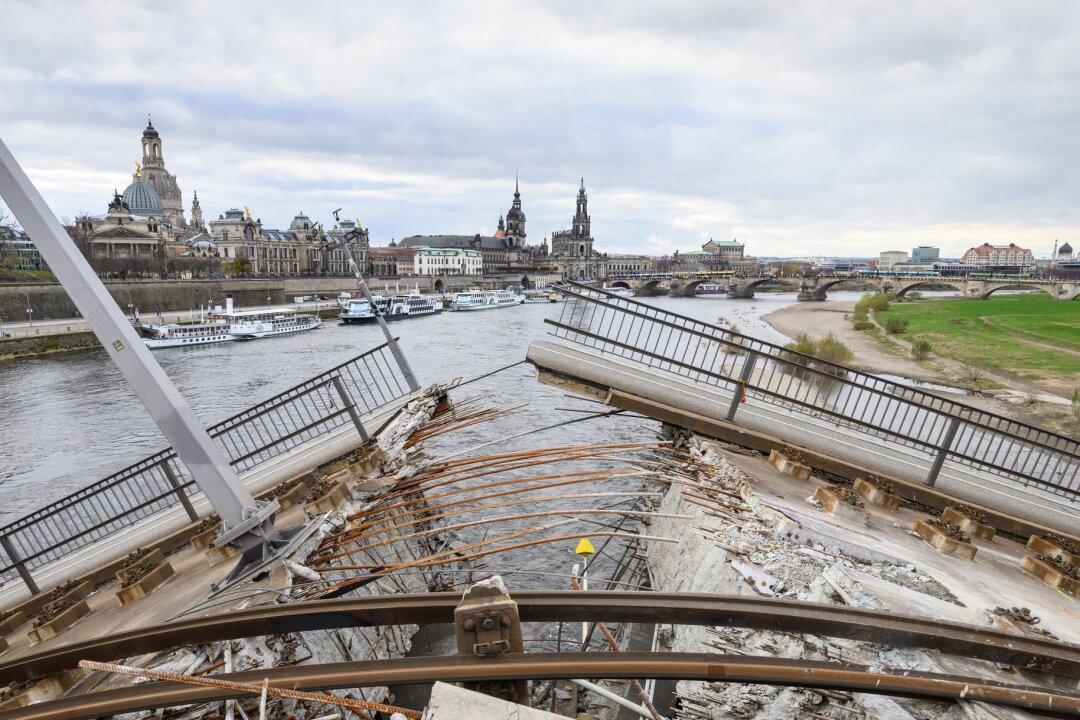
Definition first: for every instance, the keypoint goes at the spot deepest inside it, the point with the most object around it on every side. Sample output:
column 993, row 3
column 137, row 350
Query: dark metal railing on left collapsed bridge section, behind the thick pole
column 337, row 398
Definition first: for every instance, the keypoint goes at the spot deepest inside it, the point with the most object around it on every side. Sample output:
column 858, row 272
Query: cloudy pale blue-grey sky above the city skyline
column 801, row 129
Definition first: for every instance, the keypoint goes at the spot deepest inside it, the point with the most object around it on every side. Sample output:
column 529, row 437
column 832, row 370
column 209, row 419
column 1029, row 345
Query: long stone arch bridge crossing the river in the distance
column 817, row 289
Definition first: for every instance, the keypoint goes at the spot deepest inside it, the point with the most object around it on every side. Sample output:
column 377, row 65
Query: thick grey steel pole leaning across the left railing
column 208, row 465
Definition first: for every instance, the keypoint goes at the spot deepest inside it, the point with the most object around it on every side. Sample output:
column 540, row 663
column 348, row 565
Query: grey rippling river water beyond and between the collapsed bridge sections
column 70, row 420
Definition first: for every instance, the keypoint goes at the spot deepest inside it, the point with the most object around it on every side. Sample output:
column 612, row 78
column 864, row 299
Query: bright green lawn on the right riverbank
column 1000, row 333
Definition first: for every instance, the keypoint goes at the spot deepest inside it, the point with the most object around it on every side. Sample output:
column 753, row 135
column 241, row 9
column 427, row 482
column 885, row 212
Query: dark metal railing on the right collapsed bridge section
column 803, row 385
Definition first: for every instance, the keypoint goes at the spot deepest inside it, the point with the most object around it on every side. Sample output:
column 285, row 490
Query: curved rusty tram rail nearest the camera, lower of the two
column 543, row 667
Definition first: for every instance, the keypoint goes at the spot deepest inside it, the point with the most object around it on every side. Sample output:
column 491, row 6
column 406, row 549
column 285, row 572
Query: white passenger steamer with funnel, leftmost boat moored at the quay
column 229, row 324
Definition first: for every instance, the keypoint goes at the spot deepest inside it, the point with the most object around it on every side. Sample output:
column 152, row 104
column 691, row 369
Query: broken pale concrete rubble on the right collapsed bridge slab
column 762, row 551
